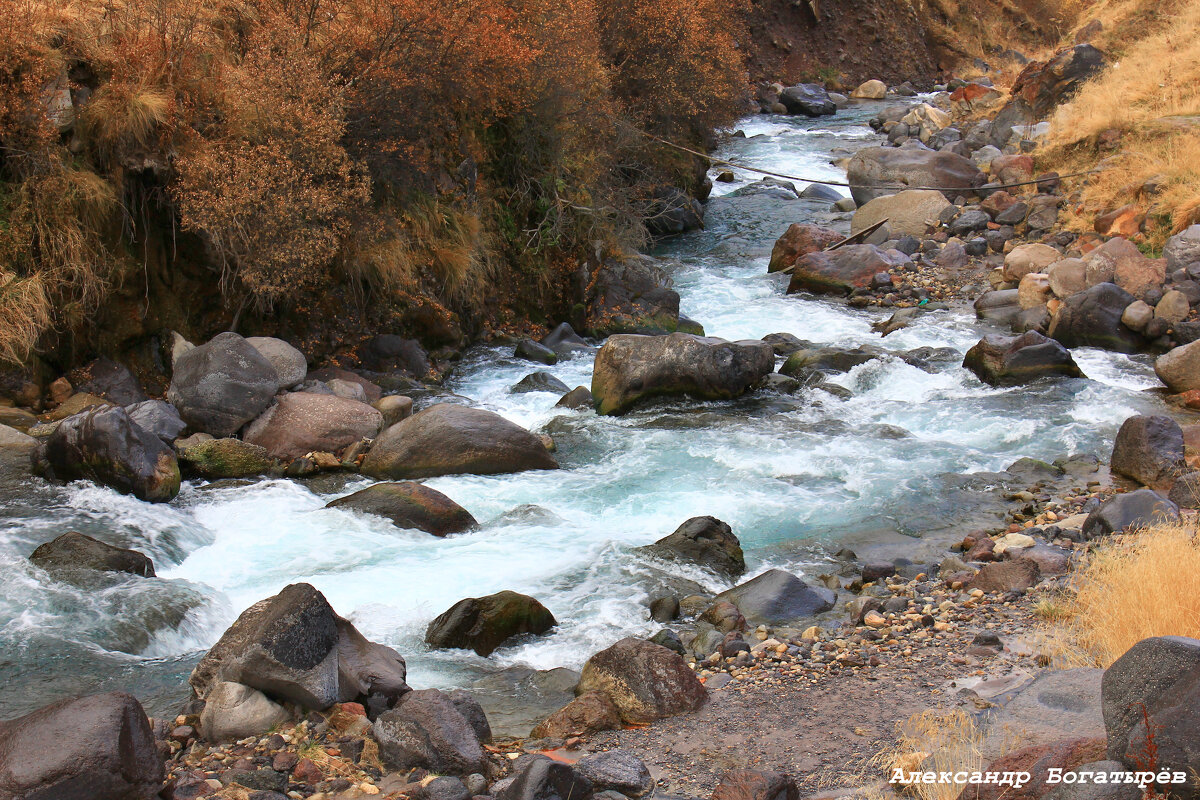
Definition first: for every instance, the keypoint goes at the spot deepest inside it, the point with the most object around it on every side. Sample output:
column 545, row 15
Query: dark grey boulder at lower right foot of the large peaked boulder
column 427, row 730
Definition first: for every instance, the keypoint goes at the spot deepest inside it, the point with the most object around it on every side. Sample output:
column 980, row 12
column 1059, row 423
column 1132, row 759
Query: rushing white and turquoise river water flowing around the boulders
column 795, row 477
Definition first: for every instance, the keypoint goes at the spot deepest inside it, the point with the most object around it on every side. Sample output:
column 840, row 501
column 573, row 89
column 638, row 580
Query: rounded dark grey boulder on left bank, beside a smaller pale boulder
column 221, row 386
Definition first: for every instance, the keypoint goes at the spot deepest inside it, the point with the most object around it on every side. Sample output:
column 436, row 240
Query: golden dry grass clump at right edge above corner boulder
column 1136, row 587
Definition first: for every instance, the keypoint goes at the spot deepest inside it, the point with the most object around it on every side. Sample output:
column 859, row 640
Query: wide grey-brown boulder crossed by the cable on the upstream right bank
column 877, row 172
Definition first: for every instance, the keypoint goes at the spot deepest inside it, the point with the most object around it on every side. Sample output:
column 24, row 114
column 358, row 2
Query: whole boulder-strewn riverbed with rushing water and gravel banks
column 301, row 568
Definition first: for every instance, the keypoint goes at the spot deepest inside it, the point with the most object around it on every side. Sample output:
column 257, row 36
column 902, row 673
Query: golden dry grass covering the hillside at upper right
column 1151, row 97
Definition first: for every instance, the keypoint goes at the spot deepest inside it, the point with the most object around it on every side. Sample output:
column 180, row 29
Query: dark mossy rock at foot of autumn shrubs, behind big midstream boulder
column 632, row 296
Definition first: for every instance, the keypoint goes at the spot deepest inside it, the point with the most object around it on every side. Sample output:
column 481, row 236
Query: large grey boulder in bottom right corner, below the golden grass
column 1156, row 681
